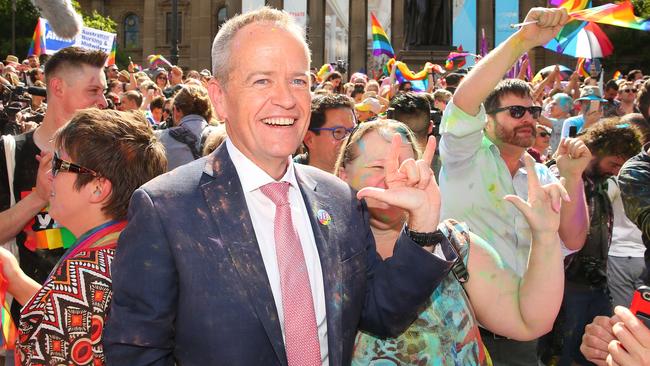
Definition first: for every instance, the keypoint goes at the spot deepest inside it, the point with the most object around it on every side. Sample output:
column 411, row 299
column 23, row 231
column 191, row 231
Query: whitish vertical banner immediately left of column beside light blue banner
column 337, row 15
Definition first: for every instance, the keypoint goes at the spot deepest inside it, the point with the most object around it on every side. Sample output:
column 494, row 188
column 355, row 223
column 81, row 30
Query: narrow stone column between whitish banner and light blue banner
column 358, row 37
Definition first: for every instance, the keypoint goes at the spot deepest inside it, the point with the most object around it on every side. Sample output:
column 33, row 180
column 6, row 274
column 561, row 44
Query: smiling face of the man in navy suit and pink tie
column 266, row 101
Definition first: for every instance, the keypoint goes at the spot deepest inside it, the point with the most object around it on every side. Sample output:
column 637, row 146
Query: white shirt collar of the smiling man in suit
column 252, row 177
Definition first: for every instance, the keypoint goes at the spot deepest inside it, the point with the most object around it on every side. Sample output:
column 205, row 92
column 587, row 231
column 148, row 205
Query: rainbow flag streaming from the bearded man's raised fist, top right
column 620, row 15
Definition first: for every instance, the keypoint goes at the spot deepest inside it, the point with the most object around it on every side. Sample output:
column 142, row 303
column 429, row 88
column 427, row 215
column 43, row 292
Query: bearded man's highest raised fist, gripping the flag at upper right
column 549, row 23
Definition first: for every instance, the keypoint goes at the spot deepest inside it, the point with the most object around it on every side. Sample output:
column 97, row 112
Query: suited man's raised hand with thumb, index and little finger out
column 410, row 186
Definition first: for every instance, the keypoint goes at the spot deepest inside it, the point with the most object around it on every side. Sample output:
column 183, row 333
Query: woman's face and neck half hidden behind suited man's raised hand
column 367, row 170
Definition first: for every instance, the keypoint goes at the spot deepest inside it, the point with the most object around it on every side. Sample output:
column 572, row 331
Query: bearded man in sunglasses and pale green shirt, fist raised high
column 486, row 129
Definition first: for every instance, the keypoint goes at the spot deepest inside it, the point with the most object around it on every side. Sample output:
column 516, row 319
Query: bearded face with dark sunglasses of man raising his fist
column 504, row 129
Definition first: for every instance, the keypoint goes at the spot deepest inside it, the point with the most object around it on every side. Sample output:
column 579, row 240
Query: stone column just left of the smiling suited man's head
column 200, row 35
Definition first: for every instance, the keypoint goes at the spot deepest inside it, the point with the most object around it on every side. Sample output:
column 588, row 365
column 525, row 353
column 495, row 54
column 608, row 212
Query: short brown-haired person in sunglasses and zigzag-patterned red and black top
column 62, row 319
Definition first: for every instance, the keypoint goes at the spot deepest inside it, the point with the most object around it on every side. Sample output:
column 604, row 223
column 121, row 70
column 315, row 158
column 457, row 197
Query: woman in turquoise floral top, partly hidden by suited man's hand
column 479, row 289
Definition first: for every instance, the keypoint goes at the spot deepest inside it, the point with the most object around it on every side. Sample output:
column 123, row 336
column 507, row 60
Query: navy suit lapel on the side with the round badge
column 318, row 202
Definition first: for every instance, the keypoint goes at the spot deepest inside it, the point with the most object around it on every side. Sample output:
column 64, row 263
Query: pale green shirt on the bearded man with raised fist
column 473, row 180
